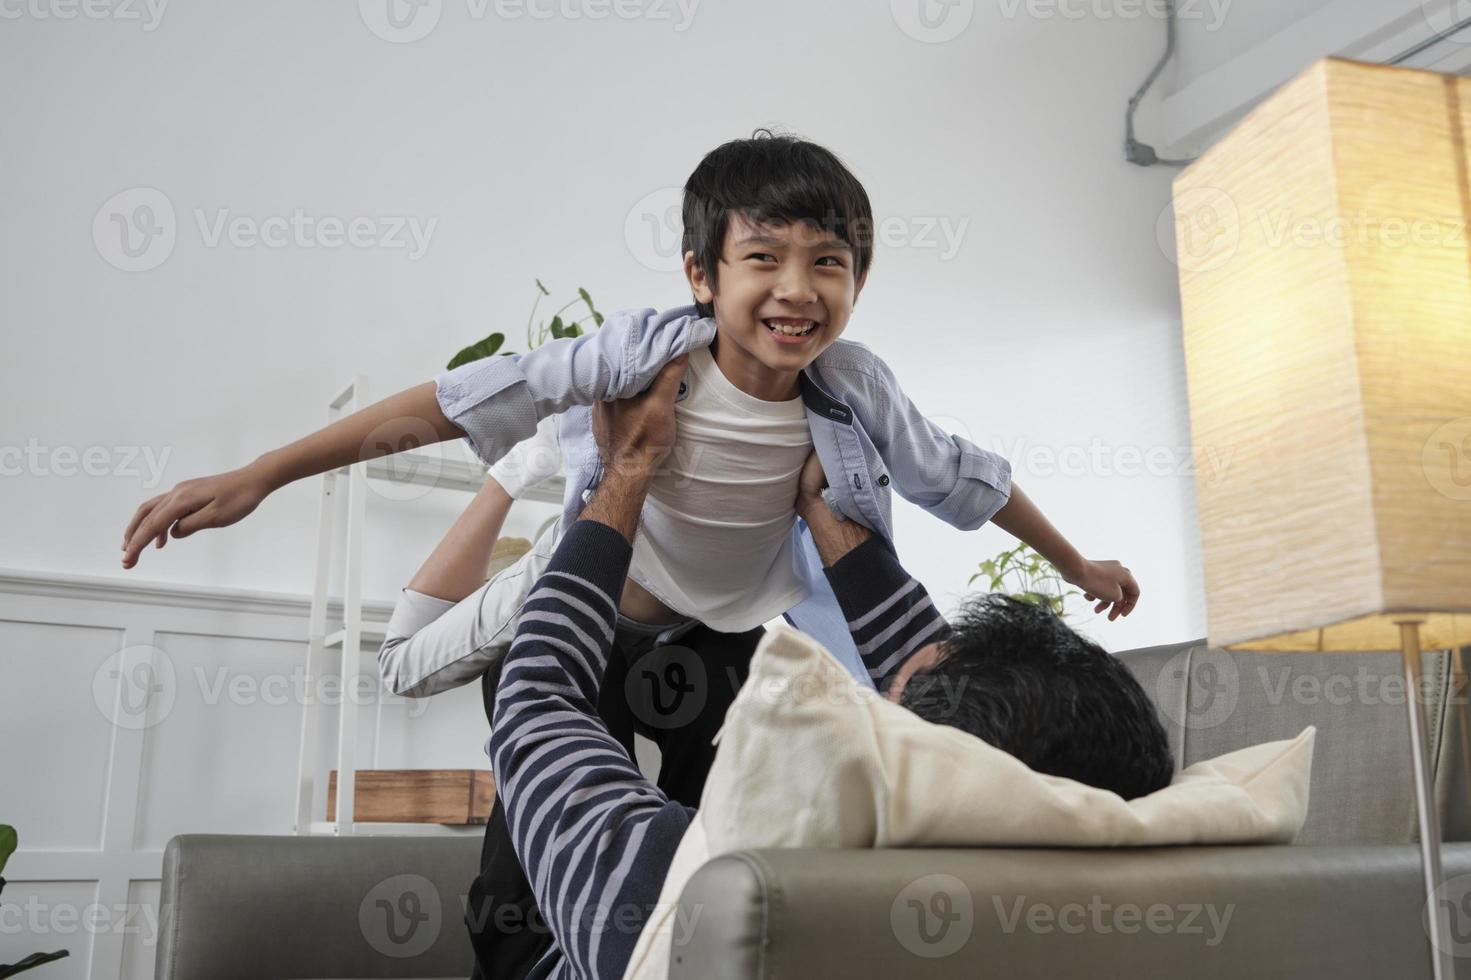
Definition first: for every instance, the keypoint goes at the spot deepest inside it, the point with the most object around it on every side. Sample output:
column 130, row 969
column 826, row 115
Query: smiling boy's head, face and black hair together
column 776, row 227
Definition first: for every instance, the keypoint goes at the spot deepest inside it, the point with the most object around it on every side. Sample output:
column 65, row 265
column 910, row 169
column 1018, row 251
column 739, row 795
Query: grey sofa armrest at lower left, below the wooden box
column 314, row 907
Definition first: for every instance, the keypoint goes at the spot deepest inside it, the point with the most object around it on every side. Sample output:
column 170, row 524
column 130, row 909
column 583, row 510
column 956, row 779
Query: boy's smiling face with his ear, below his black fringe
column 785, row 295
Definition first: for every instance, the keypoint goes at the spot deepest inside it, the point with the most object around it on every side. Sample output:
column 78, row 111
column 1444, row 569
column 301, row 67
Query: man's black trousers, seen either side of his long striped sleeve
column 674, row 695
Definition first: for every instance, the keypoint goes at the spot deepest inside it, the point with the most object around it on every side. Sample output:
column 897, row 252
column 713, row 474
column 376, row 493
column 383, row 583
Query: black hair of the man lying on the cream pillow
column 1019, row 678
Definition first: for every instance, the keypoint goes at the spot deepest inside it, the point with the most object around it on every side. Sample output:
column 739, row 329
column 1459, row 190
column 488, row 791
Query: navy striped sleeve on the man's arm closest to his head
column 888, row 611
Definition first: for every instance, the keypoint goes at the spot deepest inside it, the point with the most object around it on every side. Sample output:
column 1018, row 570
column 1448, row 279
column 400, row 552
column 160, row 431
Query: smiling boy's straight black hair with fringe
column 773, row 179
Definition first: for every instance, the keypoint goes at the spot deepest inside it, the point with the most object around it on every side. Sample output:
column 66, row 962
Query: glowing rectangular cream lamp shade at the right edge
column 1326, row 294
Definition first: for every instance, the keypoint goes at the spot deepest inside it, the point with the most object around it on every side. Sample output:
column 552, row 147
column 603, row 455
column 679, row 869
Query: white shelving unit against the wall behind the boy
column 348, row 641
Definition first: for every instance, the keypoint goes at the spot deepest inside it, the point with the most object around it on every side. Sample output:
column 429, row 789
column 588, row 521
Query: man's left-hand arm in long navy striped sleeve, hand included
column 592, row 834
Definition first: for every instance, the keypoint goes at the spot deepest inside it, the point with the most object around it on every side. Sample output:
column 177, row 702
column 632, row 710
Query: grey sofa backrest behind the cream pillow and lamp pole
column 1216, row 701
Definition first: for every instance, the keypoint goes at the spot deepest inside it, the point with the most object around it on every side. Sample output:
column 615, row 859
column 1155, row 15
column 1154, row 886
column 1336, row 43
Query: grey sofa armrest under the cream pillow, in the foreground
column 1041, row 915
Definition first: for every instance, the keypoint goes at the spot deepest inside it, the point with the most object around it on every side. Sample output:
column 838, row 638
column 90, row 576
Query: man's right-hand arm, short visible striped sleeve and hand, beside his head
column 888, row 611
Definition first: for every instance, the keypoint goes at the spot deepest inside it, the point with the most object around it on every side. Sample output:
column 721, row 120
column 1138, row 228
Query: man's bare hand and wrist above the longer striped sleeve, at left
column 633, row 439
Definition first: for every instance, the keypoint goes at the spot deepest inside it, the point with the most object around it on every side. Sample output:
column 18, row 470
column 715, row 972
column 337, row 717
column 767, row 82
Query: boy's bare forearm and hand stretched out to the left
column 404, row 422
